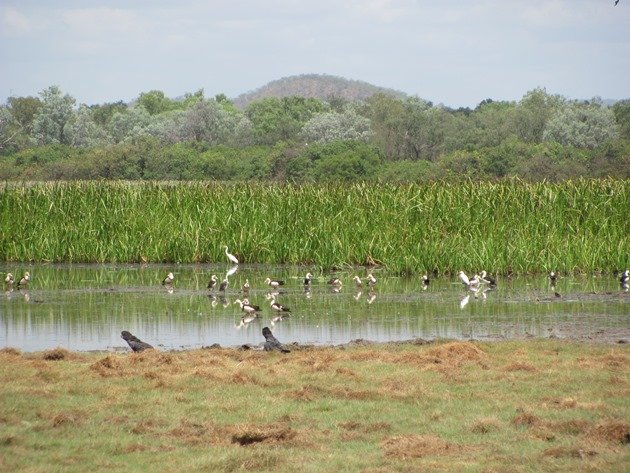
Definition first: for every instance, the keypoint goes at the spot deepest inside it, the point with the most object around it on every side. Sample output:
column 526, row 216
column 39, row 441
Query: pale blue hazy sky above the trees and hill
column 456, row 53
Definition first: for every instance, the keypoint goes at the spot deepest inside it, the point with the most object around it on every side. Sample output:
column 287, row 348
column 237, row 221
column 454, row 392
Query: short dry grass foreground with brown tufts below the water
column 451, row 406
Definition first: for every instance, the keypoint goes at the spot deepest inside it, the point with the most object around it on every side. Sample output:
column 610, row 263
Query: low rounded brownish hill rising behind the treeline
column 320, row 86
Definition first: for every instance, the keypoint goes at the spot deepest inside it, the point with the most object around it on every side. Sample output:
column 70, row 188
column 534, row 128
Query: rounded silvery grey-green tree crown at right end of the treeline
column 583, row 125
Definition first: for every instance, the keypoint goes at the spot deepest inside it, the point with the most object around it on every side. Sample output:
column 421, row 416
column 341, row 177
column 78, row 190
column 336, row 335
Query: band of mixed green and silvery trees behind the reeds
column 382, row 138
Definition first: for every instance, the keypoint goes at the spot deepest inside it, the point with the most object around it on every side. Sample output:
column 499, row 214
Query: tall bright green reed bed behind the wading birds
column 505, row 227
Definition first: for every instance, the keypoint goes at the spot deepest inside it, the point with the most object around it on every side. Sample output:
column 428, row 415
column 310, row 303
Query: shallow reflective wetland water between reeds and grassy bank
column 85, row 307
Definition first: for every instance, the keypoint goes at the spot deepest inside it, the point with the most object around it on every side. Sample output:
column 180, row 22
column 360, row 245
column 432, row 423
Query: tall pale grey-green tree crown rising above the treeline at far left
column 50, row 121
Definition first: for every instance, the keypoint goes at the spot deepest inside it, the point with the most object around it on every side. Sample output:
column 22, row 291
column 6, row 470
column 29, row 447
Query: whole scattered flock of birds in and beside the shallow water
column 478, row 284
